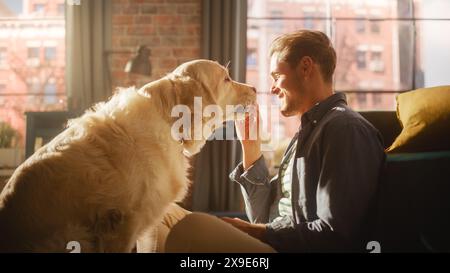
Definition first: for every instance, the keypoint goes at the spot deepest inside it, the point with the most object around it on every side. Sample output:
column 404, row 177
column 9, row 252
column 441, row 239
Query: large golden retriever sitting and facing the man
column 113, row 171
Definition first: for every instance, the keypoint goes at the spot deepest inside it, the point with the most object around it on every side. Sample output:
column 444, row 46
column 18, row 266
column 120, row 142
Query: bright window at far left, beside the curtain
column 32, row 33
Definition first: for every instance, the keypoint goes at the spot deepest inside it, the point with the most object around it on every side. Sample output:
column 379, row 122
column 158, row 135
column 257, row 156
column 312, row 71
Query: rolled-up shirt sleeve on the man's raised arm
column 256, row 189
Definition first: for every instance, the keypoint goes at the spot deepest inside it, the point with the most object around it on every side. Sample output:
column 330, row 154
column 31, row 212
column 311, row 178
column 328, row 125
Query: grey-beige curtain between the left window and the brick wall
column 88, row 36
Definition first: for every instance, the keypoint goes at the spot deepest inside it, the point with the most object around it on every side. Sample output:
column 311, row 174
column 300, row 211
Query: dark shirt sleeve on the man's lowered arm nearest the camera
column 352, row 156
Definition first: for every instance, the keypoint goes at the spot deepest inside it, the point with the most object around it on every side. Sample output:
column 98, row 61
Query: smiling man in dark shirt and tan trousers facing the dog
column 321, row 197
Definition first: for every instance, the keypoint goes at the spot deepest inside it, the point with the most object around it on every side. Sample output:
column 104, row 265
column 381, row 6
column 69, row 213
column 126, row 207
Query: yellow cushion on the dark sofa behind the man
column 425, row 117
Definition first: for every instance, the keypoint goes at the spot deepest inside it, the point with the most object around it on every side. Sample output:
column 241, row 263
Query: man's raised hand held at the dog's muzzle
column 247, row 131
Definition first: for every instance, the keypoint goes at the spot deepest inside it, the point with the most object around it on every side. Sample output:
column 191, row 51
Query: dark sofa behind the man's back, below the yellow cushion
column 413, row 208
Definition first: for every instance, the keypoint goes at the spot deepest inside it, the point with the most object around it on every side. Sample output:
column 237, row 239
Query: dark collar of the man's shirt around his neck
column 316, row 113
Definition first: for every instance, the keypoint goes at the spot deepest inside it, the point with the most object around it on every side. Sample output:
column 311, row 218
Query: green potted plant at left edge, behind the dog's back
column 10, row 155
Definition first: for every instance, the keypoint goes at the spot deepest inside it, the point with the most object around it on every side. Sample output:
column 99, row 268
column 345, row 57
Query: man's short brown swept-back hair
column 292, row 47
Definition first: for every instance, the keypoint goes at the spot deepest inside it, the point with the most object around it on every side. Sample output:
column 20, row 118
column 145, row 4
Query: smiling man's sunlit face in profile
column 287, row 85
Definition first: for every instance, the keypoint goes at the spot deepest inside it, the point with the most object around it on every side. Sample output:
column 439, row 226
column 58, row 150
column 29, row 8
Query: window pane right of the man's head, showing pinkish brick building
column 374, row 61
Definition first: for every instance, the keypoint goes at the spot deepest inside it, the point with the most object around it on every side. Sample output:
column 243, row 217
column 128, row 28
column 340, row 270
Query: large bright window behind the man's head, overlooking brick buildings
column 388, row 45
